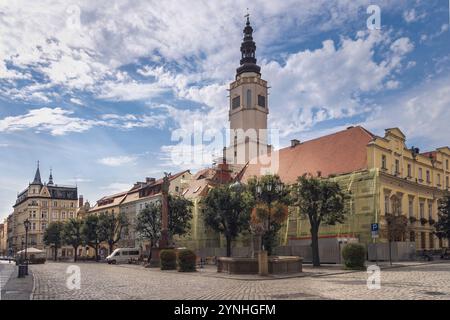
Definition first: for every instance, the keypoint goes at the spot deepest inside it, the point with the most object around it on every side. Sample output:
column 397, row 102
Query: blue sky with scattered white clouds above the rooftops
column 95, row 91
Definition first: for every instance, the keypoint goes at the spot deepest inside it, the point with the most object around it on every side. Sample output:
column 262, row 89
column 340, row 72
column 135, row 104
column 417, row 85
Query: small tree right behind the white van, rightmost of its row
column 111, row 228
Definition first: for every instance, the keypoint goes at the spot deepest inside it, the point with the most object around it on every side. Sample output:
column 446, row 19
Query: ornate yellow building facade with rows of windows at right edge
column 410, row 183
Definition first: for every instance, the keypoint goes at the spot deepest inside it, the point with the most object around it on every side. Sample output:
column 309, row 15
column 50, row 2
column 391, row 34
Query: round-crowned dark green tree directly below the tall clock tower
column 227, row 210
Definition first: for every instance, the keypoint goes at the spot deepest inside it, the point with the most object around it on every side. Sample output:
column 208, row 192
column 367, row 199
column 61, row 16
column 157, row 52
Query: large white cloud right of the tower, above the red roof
column 327, row 83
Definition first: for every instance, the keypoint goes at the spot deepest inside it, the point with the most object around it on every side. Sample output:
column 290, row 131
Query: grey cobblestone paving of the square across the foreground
column 102, row 281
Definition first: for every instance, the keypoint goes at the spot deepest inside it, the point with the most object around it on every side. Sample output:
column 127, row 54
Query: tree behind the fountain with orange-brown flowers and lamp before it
column 271, row 198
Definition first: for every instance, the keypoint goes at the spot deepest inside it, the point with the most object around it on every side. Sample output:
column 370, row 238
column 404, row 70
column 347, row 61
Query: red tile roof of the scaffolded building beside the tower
column 342, row 152
